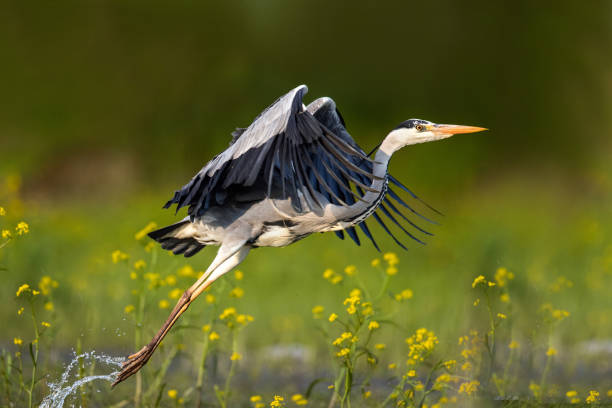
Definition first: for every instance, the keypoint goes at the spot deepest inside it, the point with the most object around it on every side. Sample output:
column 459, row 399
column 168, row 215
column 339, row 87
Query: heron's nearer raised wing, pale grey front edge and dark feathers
column 275, row 153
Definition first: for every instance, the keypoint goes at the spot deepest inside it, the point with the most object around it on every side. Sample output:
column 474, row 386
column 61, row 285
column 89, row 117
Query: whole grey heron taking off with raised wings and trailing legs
column 293, row 172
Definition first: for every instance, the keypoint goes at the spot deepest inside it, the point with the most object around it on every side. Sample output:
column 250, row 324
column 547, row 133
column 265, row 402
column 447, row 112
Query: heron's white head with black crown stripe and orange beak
column 415, row 131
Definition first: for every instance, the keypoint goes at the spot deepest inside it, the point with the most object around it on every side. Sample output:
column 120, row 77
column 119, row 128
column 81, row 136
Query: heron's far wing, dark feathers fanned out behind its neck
column 325, row 111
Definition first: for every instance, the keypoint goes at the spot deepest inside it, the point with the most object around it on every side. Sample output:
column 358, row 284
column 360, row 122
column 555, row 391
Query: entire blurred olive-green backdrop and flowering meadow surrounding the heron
column 107, row 108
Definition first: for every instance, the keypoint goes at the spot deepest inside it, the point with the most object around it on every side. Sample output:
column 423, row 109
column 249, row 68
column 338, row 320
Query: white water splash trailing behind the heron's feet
column 67, row 386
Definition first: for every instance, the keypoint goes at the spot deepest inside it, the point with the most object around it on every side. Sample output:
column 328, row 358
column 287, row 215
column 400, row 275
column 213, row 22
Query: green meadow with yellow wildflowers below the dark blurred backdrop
column 507, row 305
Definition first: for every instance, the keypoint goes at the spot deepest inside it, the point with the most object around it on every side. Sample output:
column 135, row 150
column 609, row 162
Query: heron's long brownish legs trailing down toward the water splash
column 228, row 257
